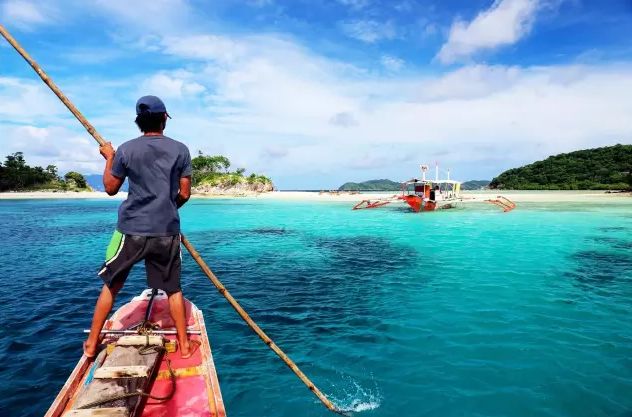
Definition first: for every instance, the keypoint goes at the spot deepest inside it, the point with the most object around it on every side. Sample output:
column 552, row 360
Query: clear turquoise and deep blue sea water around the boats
column 469, row 312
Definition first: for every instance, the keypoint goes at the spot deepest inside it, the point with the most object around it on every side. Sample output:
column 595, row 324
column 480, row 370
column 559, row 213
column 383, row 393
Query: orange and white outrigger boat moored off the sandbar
column 422, row 195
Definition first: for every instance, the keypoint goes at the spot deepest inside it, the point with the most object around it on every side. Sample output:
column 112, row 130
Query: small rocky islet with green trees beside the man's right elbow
column 211, row 175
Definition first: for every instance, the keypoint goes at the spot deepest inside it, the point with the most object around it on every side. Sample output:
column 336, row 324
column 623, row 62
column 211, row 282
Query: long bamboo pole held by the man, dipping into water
column 194, row 253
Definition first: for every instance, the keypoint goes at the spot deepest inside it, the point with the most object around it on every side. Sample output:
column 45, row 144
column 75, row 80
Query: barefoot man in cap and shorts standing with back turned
column 159, row 173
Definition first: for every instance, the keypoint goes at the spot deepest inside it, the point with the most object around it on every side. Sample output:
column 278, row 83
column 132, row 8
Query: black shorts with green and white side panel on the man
column 162, row 255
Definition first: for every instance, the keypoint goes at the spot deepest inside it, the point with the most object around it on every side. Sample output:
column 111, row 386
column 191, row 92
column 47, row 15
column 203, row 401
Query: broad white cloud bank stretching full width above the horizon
column 276, row 107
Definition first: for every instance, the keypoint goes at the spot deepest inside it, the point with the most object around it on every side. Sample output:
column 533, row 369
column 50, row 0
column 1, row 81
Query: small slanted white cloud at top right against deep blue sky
column 504, row 23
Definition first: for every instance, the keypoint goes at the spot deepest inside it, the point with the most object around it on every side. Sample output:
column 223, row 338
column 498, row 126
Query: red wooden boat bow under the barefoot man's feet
column 139, row 373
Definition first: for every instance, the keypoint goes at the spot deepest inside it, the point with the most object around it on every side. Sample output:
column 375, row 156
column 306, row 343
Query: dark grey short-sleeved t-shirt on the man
column 154, row 166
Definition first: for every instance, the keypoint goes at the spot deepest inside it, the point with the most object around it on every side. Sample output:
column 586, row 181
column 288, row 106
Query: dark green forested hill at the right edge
column 607, row 168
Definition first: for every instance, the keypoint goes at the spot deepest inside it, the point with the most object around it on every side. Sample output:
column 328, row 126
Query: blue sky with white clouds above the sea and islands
column 318, row 93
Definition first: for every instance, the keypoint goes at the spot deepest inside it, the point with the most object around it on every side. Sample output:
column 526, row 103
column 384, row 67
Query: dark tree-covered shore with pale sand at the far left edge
column 16, row 175
